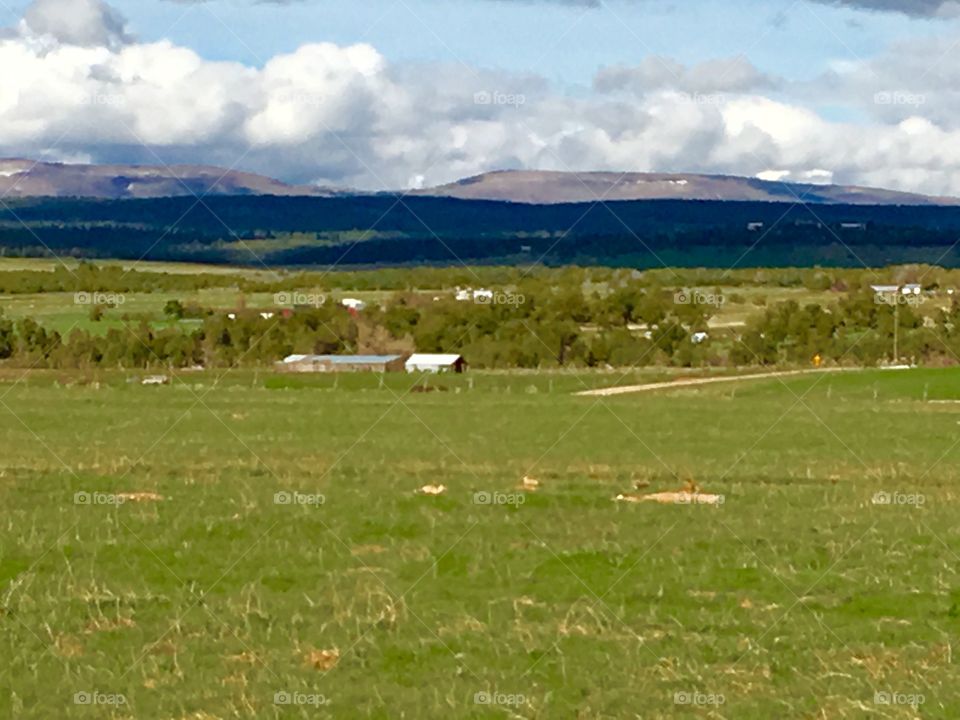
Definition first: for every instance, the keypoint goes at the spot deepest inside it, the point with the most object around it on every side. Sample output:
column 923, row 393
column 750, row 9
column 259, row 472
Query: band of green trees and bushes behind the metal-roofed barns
column 570, row 317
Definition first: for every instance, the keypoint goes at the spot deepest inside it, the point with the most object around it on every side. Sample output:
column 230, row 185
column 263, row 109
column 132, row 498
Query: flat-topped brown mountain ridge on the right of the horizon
column 550, row 188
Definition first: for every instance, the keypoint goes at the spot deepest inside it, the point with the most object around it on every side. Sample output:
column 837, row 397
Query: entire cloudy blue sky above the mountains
column 393, row 94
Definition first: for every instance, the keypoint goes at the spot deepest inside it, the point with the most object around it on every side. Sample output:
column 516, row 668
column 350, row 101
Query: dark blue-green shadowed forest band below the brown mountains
column 385, row 230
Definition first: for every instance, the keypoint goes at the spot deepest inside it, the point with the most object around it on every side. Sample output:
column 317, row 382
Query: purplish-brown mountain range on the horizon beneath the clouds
column 20, row 178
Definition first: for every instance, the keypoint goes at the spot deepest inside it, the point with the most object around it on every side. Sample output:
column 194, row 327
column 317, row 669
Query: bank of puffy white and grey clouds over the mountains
column 343, row 115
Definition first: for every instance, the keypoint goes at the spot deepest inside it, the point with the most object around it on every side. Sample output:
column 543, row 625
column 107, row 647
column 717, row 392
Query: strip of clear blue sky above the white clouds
column 565, row 43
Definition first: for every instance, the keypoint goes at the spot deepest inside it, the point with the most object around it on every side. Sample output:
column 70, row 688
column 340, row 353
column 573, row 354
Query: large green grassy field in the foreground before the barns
column 290, row 570
